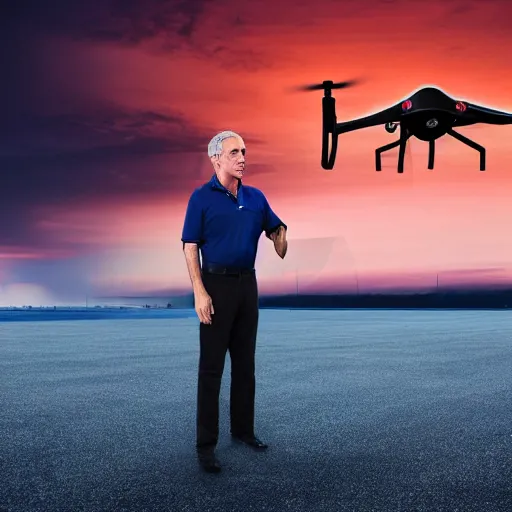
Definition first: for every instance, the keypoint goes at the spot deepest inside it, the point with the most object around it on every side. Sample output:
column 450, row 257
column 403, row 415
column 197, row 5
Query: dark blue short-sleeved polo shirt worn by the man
column 226, row 228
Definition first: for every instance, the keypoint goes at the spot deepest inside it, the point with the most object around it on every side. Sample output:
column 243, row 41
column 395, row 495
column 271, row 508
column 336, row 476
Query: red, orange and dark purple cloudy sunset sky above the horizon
column 108, row 108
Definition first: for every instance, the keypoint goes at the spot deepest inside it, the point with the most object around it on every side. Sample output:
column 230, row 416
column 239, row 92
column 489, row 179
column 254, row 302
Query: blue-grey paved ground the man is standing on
column 364, row 411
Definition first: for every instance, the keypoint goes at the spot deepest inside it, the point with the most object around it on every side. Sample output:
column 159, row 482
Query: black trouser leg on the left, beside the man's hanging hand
column 214, row 342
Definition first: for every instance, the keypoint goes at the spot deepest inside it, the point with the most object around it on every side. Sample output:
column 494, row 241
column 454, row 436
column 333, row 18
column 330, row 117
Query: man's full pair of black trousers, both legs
column 234, row 328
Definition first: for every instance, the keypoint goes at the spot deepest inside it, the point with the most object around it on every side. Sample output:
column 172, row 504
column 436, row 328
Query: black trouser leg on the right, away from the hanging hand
column 242, row 348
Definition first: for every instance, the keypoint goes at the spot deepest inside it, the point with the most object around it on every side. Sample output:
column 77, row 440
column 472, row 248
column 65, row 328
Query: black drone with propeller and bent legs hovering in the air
column 427, row 114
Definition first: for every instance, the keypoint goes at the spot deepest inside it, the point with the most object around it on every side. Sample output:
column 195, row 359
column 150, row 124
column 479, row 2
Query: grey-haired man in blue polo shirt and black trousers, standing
column 224, row 221
